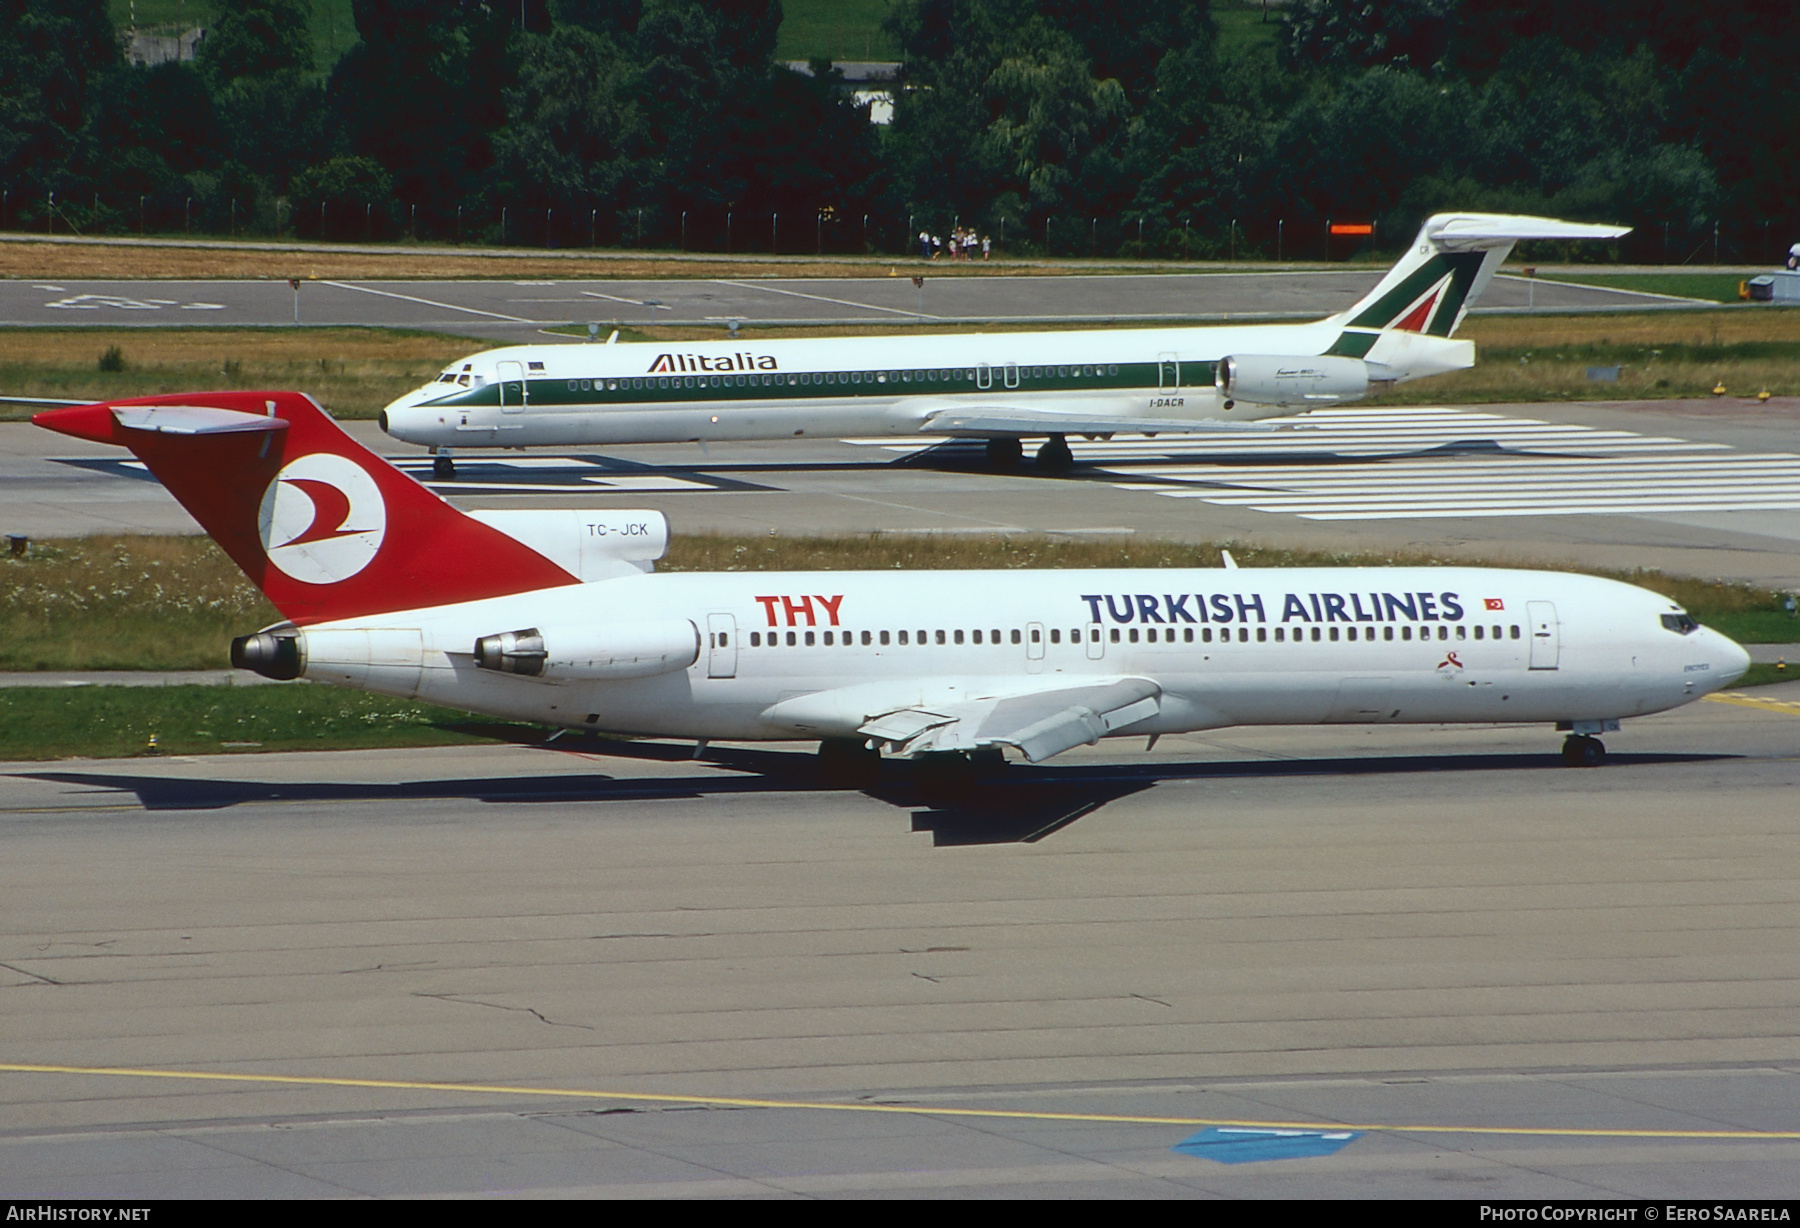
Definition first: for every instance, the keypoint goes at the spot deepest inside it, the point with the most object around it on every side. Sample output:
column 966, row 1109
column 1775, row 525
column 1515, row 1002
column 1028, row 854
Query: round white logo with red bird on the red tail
column 323, row 519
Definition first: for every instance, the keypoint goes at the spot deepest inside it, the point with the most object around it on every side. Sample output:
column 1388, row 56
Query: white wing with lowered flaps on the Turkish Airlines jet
column 1041, row 718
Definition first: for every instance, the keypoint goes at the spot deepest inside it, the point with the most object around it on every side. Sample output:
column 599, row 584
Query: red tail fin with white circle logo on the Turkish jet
column 319, row 523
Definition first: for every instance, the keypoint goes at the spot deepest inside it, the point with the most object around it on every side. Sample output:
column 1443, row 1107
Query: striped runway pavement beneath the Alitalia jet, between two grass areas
column 1707, row 489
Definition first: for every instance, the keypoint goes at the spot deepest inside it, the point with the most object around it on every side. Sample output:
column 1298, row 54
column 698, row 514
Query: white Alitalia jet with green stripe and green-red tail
column 1002, row 388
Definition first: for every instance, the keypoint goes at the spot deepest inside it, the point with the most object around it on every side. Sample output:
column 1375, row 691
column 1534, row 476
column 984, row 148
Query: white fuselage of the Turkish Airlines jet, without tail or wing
column 818, row 655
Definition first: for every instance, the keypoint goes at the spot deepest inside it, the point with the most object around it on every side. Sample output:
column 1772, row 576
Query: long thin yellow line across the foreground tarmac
column 910, row 1110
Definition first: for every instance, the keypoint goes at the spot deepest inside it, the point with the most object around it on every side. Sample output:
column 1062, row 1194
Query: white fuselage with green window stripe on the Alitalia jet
column 982, row 384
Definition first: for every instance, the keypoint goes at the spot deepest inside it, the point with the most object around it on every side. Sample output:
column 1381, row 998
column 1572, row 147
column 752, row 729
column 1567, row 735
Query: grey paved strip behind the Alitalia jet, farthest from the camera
column 516, row 311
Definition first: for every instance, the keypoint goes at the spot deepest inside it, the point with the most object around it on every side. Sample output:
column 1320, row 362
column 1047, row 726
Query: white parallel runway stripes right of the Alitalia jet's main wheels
column 1416, row 464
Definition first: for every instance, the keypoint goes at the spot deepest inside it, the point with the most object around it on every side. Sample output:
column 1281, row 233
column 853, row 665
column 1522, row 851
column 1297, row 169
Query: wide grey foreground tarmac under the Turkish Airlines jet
column 714, row 970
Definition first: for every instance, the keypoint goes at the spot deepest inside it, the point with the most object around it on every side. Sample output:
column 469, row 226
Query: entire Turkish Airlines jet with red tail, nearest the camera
column 557, row 619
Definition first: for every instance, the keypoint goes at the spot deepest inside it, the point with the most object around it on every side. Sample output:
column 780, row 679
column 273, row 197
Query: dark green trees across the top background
column 1057, row 123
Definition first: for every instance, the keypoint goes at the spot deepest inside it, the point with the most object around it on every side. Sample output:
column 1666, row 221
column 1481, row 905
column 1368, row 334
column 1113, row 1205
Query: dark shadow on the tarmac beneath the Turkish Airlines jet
column 1023, row 804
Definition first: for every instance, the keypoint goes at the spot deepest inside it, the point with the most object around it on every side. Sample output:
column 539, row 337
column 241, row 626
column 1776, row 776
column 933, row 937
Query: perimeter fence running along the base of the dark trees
column 829, row 231
